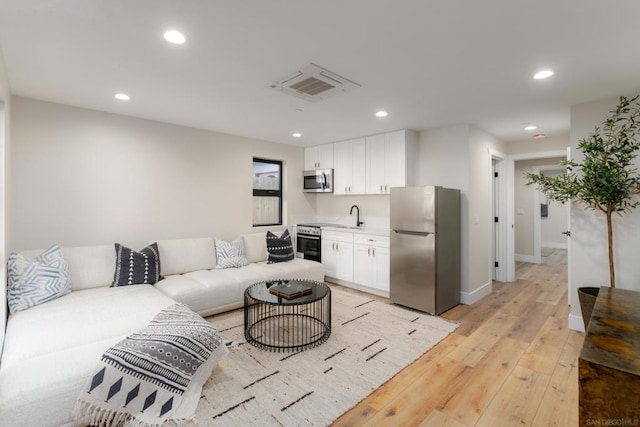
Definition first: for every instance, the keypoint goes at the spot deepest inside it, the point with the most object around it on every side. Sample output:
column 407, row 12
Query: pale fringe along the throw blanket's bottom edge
column 86, row 414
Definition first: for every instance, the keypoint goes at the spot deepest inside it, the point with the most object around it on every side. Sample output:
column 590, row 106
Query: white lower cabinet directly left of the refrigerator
column 371, row 261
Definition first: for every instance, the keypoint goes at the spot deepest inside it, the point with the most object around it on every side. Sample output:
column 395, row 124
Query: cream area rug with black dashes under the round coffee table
column 370, row 342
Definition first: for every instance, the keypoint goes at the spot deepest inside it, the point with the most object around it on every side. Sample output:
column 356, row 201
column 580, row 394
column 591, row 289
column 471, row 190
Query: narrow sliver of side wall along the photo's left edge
column 5, row 109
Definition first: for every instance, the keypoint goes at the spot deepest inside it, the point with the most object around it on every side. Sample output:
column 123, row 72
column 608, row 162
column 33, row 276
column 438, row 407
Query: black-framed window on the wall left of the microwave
column 267, row 192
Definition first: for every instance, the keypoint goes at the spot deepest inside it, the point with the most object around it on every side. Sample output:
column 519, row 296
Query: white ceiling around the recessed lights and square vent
column 429, row 63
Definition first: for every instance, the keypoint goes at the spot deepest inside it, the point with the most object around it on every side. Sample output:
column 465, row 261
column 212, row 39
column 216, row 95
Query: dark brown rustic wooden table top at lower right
column 613, row 336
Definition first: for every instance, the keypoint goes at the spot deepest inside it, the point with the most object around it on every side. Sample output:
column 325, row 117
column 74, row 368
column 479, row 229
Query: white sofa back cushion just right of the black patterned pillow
column 184, row 255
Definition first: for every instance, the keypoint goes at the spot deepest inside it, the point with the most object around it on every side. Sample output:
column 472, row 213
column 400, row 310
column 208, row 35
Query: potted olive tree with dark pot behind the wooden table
column 605, row 180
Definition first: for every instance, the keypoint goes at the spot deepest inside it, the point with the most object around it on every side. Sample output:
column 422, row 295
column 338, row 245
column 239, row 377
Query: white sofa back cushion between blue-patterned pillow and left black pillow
column 89, row 266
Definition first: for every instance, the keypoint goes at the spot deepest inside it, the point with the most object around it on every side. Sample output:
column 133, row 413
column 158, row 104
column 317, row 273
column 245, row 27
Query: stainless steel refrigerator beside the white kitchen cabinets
column 425, row 248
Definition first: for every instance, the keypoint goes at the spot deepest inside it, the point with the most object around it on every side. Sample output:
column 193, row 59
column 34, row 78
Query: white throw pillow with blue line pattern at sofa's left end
column 36, row 281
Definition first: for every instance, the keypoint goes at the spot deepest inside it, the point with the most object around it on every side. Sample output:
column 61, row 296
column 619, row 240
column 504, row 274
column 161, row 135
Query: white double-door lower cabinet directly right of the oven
column 337, row 254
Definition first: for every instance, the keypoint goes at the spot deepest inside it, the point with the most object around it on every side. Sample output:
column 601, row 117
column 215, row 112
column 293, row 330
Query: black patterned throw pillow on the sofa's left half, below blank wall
column 136, row 268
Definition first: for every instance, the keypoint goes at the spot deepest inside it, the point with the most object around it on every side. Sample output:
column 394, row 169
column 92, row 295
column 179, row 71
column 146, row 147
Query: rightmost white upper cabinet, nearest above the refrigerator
column 389, row 160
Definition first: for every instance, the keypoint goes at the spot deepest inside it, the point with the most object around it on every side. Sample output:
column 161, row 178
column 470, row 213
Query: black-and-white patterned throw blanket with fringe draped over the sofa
column 153, row 377
